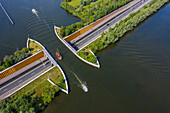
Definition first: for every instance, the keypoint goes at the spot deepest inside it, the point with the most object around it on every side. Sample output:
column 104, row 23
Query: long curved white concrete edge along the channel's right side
column 72, row 50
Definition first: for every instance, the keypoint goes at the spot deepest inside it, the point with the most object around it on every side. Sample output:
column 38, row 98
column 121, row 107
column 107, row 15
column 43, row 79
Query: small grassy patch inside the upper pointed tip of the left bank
column 35, row 47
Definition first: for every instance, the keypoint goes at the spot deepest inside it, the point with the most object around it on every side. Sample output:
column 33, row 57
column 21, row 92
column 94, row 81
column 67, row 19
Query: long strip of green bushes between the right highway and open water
column 125, row 25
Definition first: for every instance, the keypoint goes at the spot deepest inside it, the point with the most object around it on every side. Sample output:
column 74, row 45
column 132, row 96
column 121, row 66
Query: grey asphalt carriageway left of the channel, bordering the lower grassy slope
column 22, row 80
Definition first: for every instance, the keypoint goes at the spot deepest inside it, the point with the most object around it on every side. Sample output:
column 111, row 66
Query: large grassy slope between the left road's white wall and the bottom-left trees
column 41, row 83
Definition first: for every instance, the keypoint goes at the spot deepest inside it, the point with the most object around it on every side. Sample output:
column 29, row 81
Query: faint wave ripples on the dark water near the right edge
column 143, row 55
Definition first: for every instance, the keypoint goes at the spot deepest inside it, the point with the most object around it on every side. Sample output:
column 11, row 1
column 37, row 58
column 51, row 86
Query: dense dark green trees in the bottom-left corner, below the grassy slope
column 28, row 103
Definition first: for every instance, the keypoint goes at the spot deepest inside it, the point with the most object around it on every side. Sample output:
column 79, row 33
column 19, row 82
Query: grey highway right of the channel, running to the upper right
column 95, row 33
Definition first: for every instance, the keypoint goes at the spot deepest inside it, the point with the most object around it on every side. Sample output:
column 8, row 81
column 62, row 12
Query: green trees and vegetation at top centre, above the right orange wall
column 89, row 11
